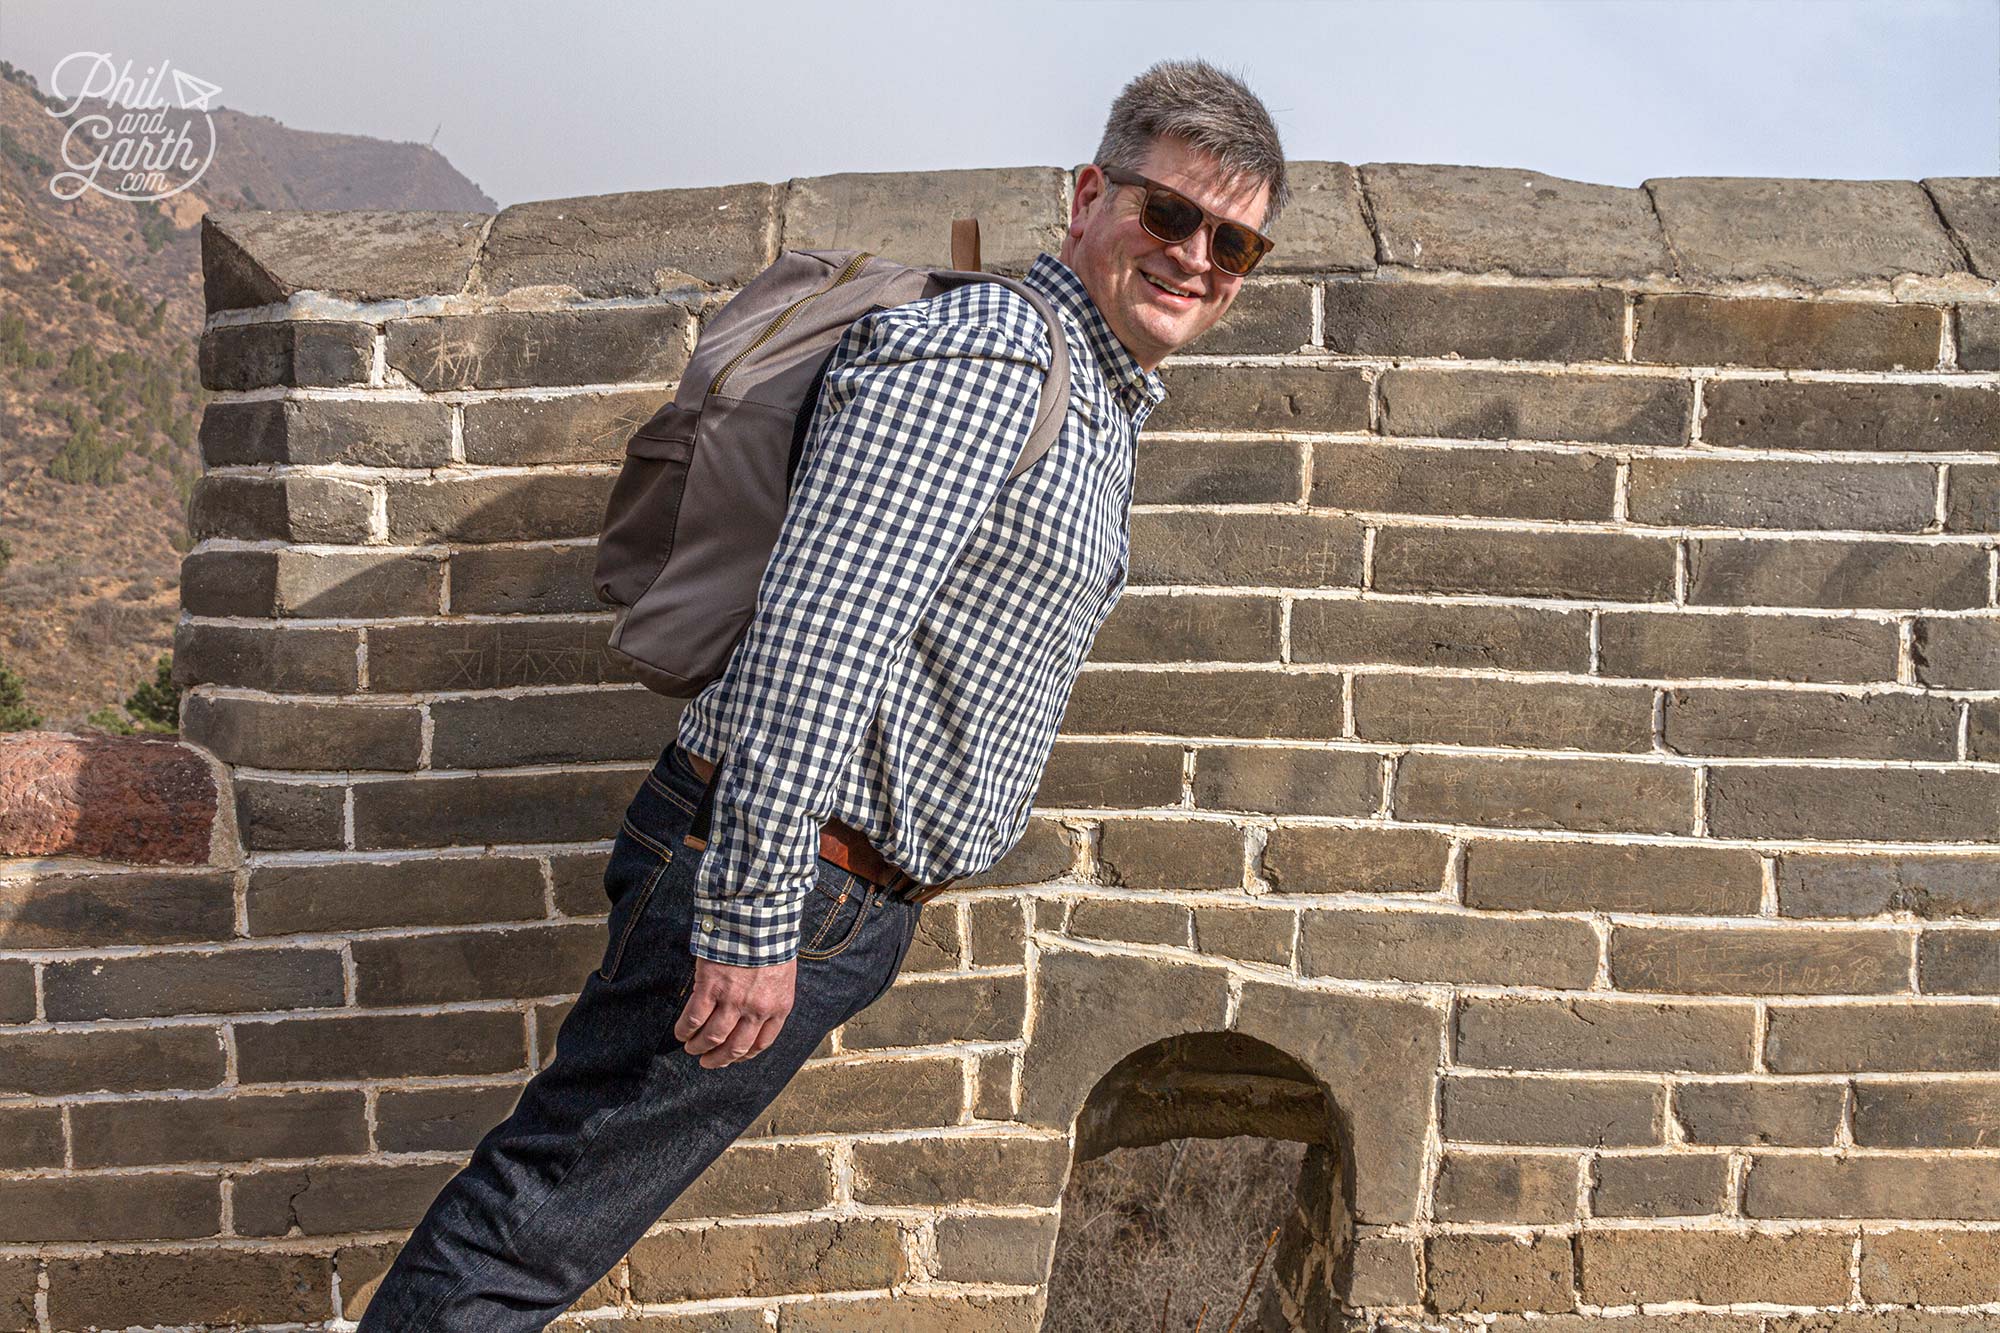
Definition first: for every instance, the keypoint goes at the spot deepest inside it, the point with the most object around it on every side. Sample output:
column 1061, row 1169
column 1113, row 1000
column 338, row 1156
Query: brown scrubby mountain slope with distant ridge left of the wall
column 101, row 309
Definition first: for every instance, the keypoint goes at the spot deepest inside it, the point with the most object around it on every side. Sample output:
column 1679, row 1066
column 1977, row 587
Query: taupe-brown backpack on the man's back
column 699, row 503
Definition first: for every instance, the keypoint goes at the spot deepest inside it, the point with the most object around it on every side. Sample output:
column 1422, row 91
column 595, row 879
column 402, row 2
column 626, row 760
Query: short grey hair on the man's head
column 1209, row 109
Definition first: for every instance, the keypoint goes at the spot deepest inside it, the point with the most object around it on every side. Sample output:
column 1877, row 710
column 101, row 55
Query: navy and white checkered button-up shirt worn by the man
column 923, row 617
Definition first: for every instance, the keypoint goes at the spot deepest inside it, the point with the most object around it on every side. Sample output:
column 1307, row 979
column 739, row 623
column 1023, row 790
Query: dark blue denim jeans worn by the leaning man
column 623, row 1120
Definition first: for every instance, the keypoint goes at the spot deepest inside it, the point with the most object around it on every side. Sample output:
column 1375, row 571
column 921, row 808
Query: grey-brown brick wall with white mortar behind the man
column 1553, row 728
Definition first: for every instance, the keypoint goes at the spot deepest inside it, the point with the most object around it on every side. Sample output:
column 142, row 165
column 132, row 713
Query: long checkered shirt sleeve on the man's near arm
column 919, row 425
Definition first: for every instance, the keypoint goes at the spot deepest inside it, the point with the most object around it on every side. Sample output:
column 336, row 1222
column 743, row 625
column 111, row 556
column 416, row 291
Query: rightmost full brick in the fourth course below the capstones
column 1751, row 571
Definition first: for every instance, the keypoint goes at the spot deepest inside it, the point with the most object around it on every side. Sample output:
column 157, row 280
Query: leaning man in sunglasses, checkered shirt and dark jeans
column 895, row 702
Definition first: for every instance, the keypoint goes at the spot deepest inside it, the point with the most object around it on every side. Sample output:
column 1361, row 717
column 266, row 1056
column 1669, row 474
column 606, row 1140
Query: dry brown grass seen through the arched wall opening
column 1171, row 1228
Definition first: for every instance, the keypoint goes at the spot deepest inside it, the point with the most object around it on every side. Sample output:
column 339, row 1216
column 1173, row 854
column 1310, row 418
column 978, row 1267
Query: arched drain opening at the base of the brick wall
column 1189, row 1156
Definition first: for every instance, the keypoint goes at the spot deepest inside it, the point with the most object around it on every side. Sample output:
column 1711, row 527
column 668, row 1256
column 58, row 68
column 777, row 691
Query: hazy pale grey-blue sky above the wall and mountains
column 547, row 101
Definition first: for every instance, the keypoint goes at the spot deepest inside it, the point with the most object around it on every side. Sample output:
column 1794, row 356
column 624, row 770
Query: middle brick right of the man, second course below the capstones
column 1503, row 405
